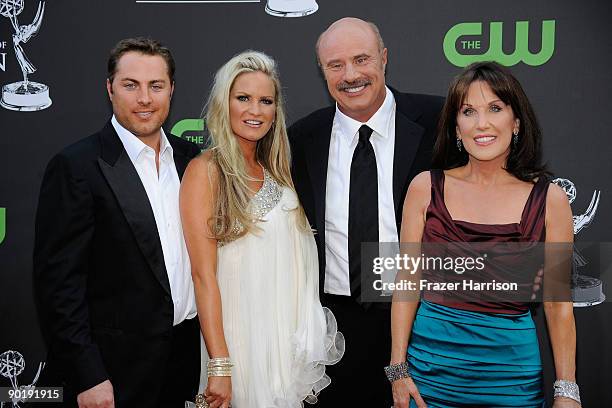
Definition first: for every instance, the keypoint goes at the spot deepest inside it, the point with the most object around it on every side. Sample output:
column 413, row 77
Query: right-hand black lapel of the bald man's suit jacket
column 408, row 136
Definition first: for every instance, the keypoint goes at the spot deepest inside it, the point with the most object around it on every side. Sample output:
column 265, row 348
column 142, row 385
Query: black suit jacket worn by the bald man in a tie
column 416, row 119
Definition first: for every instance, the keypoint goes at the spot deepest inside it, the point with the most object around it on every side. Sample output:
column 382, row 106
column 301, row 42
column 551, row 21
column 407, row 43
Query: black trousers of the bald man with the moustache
column 358, row 379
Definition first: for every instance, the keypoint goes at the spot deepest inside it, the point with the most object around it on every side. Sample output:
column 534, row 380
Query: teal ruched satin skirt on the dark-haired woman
column 459, row 358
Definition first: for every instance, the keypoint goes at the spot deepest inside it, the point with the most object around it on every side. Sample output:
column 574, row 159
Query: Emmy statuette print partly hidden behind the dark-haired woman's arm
column 586, row 290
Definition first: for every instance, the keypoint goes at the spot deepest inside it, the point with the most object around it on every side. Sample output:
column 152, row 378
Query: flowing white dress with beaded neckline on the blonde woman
column 279, row 336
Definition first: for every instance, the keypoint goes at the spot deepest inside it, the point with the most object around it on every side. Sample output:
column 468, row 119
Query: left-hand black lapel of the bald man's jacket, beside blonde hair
column 318, row 156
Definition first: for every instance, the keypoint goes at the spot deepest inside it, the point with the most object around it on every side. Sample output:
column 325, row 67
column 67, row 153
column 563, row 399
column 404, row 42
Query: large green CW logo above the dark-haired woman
column 454, row 47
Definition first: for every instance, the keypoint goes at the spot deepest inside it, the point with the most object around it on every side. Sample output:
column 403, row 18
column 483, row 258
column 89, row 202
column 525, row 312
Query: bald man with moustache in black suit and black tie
column 352, row 164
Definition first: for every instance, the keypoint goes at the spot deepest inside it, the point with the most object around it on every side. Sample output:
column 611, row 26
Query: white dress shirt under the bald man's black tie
column 344, row 138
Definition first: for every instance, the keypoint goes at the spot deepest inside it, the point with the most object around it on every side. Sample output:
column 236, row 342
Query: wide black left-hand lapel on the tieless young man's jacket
column 123, row 179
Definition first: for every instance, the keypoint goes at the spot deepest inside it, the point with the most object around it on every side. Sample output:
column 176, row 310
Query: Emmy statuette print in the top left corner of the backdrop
column 23, row 95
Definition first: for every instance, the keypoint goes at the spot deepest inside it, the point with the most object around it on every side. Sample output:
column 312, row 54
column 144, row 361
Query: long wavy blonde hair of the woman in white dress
column 232, row 189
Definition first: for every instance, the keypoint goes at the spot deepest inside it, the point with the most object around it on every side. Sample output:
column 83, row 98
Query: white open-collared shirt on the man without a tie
column 163, row 192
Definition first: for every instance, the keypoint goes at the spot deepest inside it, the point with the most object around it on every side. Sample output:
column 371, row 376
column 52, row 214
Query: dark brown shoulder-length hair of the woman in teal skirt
column 525, row 159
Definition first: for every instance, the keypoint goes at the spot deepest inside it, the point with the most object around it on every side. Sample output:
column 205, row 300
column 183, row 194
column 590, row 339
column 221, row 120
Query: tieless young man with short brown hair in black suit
column 111, row 271
